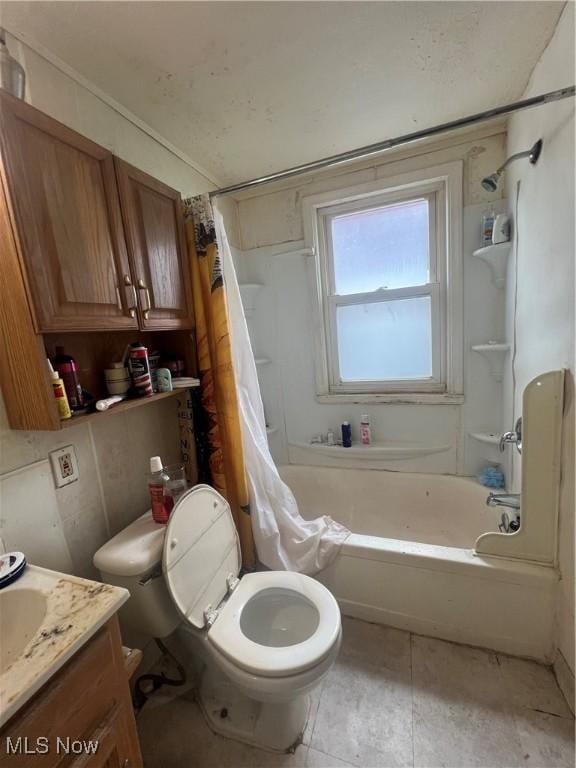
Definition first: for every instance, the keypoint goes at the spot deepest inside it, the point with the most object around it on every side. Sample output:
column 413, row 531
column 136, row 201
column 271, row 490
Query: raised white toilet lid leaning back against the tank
column 201, row 549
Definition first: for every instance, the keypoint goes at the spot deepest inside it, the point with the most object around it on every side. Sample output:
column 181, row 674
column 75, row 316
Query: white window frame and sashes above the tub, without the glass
column 442, row 186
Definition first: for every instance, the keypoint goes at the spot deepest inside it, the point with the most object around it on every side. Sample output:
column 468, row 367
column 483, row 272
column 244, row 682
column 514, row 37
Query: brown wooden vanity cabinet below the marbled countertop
column 88, row 700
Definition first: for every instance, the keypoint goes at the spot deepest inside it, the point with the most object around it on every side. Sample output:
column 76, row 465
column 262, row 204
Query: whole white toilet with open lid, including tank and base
column 256, row 645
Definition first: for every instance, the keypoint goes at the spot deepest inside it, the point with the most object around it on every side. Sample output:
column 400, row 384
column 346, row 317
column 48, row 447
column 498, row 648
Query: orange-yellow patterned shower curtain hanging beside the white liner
column 219, row 400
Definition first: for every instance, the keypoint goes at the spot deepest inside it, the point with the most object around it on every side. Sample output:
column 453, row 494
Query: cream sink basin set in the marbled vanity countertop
column 22, row 611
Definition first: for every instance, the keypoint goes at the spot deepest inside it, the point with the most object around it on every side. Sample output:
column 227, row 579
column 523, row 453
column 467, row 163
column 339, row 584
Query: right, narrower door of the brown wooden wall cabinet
column 154, row 226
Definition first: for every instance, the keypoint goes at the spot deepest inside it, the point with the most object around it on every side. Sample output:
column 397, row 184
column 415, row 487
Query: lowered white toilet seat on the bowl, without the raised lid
column 299, row 604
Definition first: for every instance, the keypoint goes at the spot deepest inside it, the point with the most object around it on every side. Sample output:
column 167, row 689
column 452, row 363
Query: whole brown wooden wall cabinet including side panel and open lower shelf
column 93, row 256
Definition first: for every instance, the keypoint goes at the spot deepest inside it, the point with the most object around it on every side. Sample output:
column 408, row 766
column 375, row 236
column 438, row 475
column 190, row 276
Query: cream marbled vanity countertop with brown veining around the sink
column 75, row 610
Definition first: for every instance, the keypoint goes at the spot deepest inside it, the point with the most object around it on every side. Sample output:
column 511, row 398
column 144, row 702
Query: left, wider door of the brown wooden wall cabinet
column 65, row 202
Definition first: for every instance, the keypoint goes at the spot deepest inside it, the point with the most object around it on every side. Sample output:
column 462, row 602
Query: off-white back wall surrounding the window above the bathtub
column 271, row 225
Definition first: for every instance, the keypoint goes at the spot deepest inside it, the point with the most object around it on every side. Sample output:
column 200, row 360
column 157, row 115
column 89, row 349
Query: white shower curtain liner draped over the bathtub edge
column 284, row 540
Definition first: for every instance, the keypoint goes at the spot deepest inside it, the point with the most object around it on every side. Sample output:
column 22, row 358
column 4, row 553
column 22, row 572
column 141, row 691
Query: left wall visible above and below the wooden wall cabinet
column 112, row 453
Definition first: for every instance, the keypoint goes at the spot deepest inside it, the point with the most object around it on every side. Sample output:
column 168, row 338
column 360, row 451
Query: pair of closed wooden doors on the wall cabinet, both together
column 73, row 233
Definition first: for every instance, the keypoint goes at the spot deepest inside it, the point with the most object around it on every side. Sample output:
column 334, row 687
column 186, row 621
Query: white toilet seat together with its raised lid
column 269, row 624
